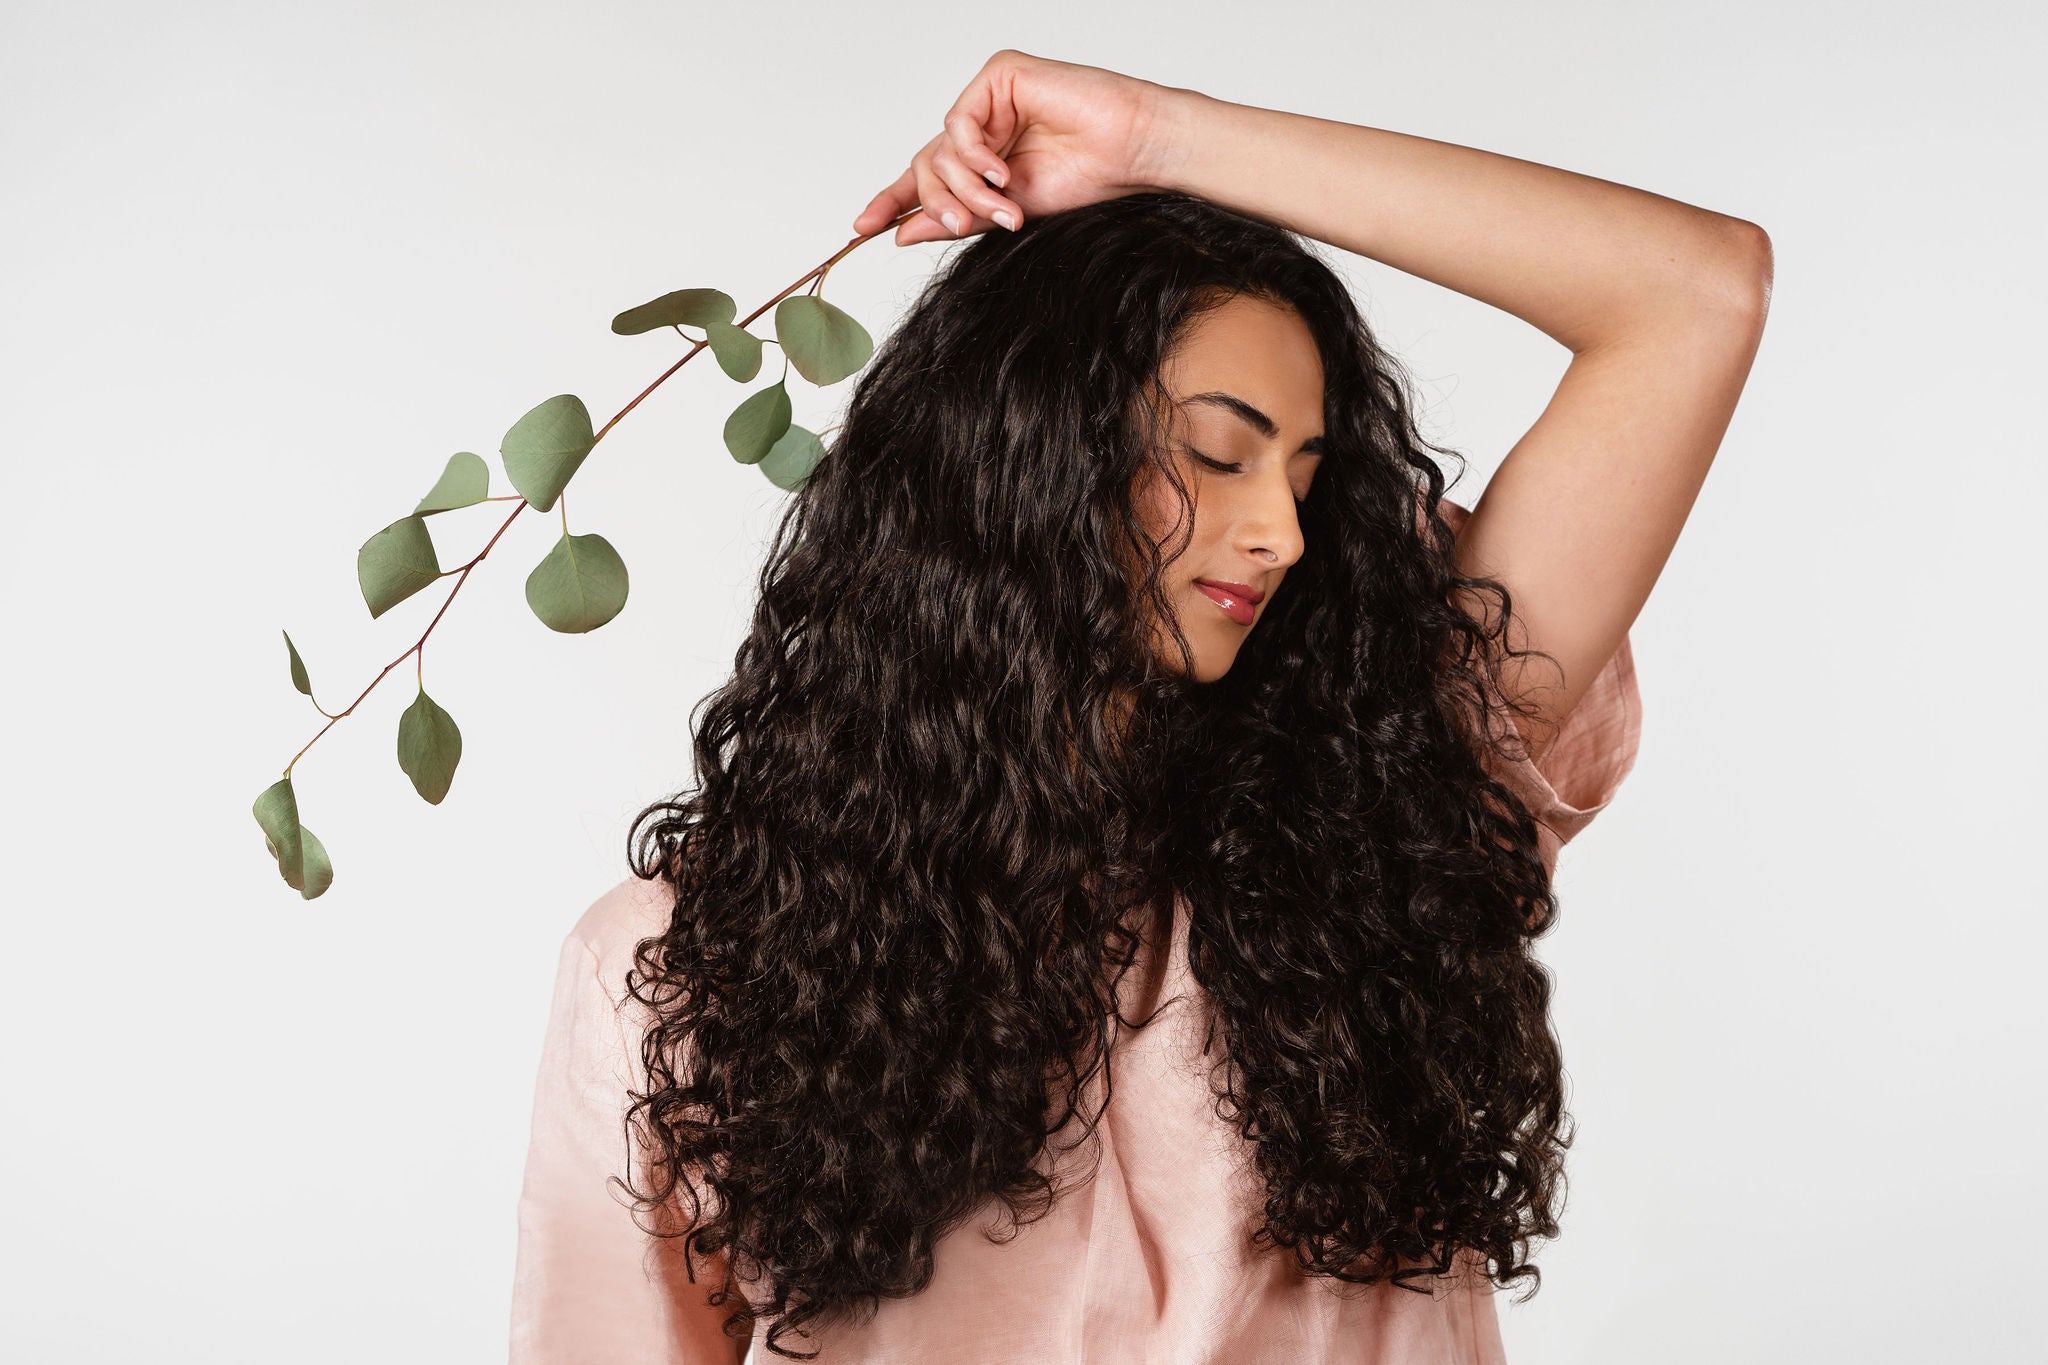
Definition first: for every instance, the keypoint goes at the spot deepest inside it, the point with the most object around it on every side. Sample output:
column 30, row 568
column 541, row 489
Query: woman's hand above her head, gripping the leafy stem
column 1050, row 134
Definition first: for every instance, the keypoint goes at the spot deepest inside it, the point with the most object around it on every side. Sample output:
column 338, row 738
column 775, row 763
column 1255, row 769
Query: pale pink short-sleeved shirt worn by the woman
column 1148, row 1264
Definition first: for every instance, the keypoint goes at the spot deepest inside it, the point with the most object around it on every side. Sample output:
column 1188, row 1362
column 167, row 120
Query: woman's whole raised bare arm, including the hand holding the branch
column 1660, row 304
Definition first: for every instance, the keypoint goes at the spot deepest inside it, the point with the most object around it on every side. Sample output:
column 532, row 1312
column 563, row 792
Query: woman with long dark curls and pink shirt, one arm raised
column 1103, row 922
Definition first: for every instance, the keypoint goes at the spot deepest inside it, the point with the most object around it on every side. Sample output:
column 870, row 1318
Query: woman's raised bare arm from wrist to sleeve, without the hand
column 1660, row 304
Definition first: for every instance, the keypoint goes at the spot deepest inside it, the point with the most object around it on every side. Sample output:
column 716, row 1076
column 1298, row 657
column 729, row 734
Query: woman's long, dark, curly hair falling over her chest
column 951, row 764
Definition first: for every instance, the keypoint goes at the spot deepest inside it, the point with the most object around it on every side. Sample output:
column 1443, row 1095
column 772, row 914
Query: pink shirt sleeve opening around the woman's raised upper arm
column 1592, row 754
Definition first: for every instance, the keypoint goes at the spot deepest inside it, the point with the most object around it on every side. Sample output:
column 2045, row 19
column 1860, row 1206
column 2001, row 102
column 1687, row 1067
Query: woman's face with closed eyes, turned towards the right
column 1246, row 433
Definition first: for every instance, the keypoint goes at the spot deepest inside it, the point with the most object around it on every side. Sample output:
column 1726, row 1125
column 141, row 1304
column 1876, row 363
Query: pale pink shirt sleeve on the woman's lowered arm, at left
column 591, row 1286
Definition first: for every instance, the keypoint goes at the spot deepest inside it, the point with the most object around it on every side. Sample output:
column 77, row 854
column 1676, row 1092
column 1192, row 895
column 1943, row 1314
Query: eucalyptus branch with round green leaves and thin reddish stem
column 583, row 580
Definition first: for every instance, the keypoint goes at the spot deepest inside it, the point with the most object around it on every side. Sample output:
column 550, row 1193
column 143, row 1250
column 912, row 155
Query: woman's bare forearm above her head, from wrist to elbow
column 1580, row 259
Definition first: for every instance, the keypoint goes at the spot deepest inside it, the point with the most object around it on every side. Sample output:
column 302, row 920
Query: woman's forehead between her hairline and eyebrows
column 1258, row 351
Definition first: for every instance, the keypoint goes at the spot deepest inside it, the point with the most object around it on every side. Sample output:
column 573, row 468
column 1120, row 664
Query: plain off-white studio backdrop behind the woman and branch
column 269, row 265
